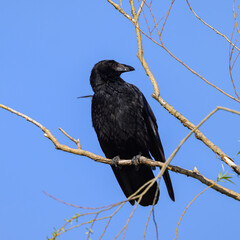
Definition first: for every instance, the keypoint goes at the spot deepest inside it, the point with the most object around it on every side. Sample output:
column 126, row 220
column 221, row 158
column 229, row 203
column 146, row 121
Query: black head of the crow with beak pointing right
column 107, row 70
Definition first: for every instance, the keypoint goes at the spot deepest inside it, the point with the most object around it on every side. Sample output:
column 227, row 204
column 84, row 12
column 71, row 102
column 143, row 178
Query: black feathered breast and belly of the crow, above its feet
column 119, row 123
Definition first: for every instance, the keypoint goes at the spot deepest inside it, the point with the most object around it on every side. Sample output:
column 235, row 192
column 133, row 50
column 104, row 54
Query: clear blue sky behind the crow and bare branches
column 47, row 50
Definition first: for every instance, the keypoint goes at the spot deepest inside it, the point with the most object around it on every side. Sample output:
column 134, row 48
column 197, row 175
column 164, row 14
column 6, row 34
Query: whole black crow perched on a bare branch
column 126, row 128
